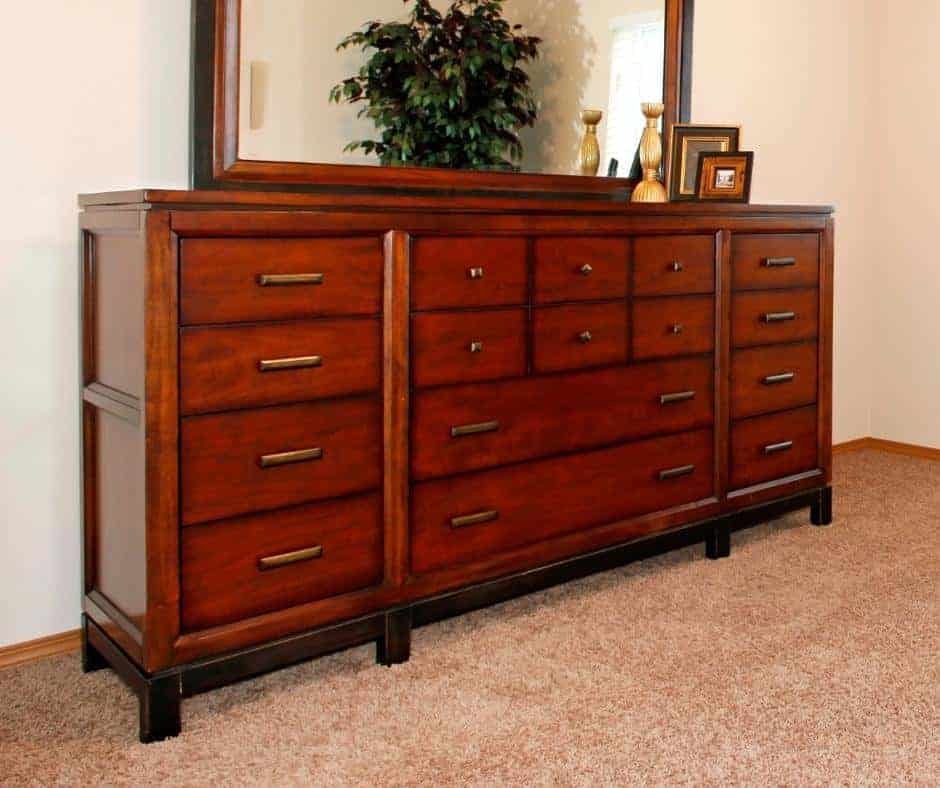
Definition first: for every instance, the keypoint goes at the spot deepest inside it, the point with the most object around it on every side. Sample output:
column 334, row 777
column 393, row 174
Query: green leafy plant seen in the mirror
column 444, row 90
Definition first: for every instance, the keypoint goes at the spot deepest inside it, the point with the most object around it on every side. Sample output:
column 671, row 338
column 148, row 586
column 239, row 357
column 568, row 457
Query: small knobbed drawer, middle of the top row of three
column 580, row 269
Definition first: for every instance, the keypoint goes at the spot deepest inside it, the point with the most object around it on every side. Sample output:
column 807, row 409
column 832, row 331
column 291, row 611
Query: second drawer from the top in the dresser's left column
column 227, row 367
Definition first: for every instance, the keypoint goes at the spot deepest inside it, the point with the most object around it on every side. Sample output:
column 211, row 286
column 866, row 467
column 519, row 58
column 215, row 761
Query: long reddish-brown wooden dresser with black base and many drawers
column 313, row 422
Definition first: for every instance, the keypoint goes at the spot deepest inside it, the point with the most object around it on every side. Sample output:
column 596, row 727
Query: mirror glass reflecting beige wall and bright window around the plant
column 595, row 54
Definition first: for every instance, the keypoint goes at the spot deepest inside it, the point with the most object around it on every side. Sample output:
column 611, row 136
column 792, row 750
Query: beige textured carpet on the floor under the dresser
column 810, row 657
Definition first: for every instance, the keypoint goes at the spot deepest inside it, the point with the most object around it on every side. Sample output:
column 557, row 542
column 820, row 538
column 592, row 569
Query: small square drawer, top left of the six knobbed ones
column 468, row 272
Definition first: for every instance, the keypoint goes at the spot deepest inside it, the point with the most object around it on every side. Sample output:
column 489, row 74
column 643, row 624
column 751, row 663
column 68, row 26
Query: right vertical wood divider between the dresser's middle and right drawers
column 723, row 360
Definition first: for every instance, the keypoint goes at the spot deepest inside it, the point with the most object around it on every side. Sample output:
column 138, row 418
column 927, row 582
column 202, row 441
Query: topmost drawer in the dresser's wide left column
column 225, row 280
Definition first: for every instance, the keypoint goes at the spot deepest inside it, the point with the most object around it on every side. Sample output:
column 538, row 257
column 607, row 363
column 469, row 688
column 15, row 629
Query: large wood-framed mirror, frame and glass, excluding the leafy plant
column 264, row 69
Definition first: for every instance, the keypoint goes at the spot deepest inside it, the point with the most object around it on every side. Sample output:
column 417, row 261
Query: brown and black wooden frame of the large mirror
column 214, row 152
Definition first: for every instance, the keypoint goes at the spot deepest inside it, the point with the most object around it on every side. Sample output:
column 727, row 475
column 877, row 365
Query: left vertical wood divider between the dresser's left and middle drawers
column 396, row 381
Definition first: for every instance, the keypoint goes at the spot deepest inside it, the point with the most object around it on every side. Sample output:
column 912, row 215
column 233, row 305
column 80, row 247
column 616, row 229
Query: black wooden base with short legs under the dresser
column 160, row 694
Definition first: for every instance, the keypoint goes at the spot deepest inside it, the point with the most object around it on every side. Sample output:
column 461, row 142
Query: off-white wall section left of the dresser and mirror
column 95, row 97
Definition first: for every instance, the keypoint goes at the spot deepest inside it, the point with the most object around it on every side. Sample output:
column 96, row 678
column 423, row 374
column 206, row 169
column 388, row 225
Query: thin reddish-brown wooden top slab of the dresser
column 415, row 201
